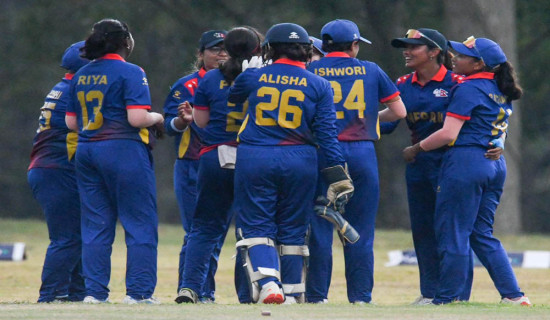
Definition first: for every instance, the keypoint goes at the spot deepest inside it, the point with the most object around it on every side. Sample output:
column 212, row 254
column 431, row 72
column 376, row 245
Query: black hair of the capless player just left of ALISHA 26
column 241, row 44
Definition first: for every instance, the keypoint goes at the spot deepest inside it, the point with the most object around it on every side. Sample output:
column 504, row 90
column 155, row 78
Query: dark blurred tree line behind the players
column 36, row 32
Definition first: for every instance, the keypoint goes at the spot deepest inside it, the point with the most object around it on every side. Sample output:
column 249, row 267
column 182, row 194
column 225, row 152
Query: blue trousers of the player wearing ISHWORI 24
column 361, row 214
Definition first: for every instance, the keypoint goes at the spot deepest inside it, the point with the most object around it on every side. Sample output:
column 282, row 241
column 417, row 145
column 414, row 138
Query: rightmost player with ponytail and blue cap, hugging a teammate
column 470, row 185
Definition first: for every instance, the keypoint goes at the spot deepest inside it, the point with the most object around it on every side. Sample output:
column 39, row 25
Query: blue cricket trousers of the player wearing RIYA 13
column 116, row 180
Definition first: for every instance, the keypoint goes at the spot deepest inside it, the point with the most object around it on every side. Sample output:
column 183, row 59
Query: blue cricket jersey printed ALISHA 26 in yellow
column 287, row 106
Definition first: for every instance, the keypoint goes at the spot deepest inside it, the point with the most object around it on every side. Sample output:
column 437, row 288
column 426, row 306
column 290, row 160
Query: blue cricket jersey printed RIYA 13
column 103, row 90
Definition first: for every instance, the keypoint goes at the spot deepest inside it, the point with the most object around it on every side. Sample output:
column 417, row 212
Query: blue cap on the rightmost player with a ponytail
column 482, row 48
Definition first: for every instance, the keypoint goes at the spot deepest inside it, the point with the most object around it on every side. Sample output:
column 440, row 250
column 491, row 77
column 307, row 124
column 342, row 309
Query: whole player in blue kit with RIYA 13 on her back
column 114, row 163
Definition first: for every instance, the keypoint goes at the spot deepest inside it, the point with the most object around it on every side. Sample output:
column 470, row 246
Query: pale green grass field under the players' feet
column 395, row 287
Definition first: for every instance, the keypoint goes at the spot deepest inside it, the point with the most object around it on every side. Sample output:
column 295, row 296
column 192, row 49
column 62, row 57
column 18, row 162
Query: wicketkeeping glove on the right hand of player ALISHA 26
column 340, row 188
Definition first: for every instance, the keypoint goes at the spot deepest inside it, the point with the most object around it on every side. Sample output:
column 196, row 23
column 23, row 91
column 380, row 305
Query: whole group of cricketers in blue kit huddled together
column 276, row 133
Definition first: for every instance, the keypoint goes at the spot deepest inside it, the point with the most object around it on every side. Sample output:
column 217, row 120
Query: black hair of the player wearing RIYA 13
column 108, row 36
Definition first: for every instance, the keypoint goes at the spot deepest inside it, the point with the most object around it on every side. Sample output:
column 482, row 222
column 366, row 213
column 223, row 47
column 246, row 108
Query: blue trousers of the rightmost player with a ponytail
column 470, row 190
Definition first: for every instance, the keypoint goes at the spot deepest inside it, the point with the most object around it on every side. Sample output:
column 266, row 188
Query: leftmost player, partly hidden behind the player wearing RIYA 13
column 52, row 178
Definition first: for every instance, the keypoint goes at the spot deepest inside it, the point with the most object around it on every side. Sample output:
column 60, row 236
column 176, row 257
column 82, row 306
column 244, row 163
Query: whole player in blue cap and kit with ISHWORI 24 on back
column 359, row 87
